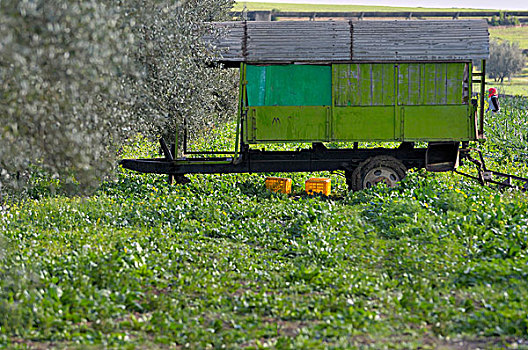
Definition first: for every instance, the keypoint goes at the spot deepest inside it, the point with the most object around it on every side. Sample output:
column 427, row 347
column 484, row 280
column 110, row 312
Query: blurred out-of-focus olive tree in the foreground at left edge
column 63, row 107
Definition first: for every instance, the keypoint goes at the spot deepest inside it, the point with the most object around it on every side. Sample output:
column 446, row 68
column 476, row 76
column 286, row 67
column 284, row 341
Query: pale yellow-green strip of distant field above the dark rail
column 263, row 6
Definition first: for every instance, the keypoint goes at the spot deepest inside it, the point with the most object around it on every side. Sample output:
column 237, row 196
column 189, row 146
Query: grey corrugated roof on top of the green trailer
column 341, row 41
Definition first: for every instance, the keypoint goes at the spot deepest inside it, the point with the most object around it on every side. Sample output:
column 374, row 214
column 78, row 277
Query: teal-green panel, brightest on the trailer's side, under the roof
column 289, row 85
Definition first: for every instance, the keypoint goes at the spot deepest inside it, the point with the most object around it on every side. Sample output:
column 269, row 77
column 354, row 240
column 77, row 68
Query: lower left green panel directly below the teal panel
column 288, row 124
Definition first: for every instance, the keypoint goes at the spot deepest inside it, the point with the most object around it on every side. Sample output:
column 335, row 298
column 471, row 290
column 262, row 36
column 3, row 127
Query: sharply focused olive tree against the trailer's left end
column 180, row 84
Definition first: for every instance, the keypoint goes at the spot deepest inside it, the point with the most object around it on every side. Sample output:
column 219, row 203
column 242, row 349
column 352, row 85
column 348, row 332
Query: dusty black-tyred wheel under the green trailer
column 375, row 170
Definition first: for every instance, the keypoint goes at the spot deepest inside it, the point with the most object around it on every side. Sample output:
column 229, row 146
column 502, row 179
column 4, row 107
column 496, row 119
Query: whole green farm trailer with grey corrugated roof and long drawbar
column 321, row 82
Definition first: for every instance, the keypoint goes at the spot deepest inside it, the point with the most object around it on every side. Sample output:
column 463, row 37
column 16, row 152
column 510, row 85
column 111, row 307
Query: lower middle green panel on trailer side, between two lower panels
column 363, row 123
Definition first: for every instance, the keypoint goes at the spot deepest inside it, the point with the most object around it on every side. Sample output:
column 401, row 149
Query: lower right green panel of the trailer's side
column 436, row 123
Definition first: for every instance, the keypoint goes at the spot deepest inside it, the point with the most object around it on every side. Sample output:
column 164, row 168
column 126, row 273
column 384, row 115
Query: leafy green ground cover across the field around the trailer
column 438, row 262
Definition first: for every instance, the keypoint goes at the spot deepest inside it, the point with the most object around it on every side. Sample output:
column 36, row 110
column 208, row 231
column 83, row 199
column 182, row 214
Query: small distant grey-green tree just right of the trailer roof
column 505, row 60
